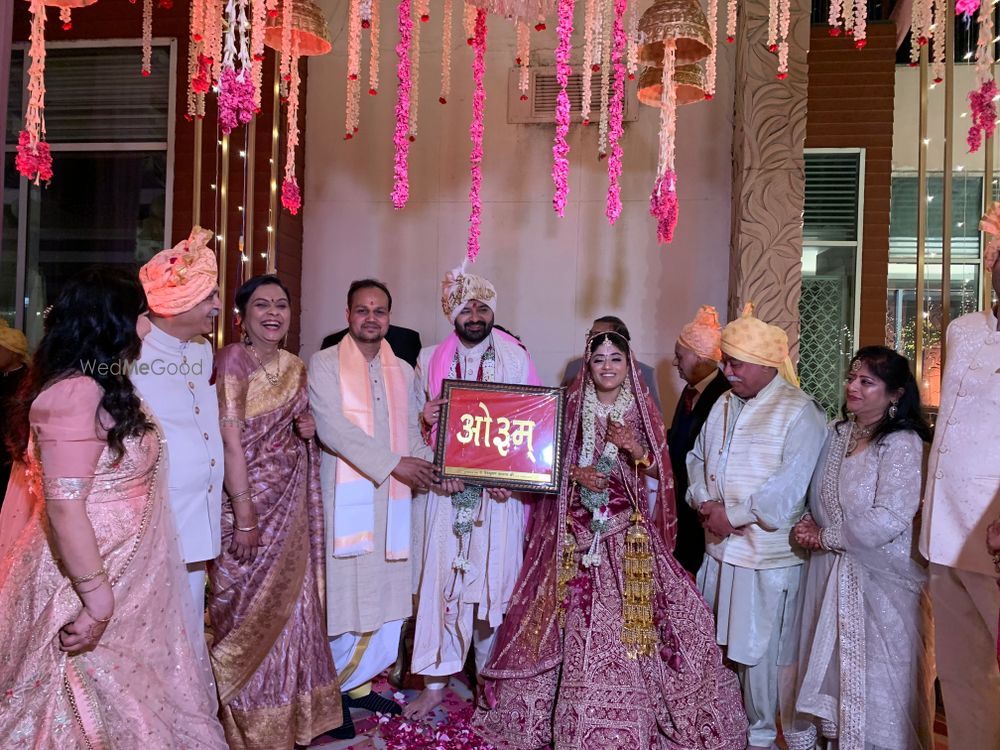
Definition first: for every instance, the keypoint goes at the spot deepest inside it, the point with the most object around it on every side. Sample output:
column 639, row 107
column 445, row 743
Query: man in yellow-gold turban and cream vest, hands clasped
column 749, row 472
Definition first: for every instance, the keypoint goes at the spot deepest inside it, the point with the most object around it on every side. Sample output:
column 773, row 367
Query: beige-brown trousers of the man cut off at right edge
column 965, row 626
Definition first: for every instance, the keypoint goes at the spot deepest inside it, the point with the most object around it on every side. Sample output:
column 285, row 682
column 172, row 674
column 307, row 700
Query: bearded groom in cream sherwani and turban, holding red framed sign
column 463, row 593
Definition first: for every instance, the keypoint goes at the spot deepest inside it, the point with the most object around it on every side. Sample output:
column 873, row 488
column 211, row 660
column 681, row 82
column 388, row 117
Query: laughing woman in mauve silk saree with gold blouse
column 277, row 682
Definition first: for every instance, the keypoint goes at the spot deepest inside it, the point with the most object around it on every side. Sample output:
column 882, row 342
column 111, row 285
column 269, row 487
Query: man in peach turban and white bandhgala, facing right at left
column 173, row 376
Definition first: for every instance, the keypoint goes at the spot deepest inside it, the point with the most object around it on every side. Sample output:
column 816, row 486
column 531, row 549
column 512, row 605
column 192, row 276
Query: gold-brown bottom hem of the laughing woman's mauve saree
column 306, row 717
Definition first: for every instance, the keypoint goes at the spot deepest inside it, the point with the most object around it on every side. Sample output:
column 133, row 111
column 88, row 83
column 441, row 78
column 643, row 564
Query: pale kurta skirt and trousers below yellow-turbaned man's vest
column 754, row 612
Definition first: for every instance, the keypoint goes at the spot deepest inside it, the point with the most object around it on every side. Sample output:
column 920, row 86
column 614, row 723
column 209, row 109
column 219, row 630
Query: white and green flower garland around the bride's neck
column 597, row 502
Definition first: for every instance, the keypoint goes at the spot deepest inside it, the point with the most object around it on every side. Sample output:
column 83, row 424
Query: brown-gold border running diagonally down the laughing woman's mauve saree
column 238, row 655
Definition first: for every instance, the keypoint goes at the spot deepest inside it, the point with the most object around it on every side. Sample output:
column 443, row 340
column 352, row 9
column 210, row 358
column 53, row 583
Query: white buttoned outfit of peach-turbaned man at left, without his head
column 174, row 378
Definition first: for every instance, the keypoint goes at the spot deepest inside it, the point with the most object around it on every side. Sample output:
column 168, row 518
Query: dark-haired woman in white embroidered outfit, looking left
column 864, row 671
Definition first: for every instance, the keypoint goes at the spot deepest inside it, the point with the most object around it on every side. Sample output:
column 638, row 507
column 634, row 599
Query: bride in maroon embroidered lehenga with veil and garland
column 584, row 660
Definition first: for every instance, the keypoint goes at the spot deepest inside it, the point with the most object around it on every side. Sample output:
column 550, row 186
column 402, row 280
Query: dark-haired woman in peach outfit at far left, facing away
column 93, row 596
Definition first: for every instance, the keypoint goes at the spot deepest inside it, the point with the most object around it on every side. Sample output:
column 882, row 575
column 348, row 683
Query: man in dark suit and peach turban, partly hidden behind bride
column 696, row 357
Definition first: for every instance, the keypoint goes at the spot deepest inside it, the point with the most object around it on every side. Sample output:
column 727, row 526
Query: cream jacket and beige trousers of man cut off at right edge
column 962, row 497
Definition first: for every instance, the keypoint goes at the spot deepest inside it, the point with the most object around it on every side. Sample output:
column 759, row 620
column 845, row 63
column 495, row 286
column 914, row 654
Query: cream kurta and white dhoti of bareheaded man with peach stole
column 367, row 596
